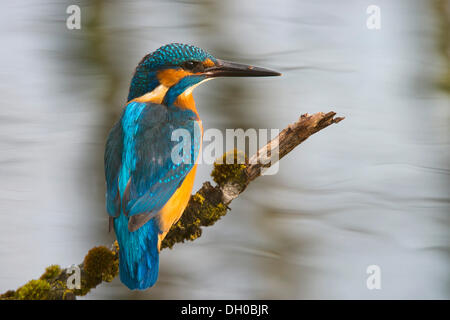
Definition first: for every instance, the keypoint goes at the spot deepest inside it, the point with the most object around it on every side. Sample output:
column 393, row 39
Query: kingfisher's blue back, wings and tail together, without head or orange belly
column 147, row 178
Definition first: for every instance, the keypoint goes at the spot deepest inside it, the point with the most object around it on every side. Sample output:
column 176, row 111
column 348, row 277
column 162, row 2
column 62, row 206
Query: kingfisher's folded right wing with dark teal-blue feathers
column 155, row 177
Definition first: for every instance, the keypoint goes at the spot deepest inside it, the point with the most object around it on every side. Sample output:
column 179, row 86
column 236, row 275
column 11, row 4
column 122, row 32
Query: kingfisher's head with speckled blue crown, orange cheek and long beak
column 176, row 69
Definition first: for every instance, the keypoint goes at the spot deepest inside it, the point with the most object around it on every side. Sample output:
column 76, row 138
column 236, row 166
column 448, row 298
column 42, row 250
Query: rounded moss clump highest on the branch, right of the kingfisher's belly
column 231, row 169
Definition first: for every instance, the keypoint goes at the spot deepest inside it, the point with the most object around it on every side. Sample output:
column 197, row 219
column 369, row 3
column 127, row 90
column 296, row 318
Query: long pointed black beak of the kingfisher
column 231, row 69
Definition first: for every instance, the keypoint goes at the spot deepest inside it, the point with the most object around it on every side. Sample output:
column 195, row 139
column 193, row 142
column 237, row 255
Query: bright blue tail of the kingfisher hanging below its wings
column 138, row 254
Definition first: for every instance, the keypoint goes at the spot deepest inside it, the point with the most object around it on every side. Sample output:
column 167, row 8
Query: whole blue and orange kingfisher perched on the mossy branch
column 149, row 174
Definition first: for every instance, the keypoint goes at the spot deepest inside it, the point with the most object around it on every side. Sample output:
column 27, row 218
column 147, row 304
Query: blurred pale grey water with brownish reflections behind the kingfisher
column 373, row 189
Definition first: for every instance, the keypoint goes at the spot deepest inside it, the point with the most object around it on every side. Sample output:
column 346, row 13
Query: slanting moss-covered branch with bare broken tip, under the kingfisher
column 205, row 207
